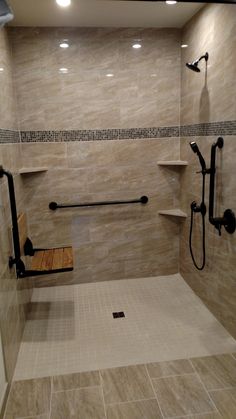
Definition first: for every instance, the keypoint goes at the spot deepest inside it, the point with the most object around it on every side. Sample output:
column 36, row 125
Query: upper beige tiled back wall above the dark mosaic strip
column 144, row 92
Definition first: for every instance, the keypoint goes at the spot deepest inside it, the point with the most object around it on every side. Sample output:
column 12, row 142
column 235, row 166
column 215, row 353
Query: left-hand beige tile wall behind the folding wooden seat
column 14, row 294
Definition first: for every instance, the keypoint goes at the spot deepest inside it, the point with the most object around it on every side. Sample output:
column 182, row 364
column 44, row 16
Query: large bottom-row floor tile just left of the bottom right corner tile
column 182, row 395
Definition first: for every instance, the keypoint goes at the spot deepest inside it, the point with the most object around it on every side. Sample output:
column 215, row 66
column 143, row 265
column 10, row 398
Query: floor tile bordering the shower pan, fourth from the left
column 164, row 369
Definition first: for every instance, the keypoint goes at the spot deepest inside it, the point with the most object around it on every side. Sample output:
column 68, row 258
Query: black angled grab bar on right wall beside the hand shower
column 228, row 219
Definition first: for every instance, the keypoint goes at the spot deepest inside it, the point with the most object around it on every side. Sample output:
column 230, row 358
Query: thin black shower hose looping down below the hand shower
column 202, row 210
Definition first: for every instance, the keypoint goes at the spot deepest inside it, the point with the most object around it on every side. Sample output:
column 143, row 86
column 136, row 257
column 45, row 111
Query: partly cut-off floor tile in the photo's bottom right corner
column 225, row 401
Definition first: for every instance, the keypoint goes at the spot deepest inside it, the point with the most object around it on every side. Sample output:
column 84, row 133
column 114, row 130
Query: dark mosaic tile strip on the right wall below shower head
column 207, row 129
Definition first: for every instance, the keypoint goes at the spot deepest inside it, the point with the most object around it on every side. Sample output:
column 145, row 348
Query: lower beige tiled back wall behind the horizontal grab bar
column 114, row 242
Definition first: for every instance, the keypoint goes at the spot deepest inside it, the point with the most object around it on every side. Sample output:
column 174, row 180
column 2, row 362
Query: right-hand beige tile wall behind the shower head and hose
column 211, row 97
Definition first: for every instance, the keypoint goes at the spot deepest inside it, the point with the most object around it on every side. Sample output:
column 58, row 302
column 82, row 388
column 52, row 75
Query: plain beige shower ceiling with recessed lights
column 103, row 13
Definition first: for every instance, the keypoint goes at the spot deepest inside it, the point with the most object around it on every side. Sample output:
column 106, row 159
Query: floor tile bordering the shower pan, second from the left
column 73, row 381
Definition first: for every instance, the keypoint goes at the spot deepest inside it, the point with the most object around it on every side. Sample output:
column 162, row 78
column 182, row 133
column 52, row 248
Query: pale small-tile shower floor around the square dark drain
column 71, row 329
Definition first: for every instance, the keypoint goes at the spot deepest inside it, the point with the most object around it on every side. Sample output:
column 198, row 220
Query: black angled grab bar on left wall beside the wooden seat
column 15, row 232
